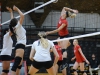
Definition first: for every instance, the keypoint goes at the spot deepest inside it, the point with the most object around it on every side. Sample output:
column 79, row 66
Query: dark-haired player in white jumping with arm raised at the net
column 17, row 28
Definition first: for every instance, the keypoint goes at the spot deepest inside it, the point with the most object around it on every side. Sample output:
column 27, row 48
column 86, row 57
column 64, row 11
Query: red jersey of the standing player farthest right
column 78, row 56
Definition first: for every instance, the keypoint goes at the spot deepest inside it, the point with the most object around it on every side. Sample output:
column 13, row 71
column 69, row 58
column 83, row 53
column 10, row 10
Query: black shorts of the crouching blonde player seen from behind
column 46, row 64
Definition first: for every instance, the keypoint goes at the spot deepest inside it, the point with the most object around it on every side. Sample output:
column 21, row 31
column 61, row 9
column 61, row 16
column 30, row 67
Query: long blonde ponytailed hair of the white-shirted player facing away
column 43, row 41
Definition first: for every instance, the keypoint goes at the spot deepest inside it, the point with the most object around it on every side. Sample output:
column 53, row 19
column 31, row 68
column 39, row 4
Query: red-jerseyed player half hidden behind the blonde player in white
column 59, row 63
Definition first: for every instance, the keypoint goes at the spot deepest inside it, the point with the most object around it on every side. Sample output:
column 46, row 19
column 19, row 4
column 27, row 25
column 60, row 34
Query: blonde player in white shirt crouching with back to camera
column 40, row 55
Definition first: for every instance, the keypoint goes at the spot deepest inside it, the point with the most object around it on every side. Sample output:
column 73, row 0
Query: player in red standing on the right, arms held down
column 80, row 58
